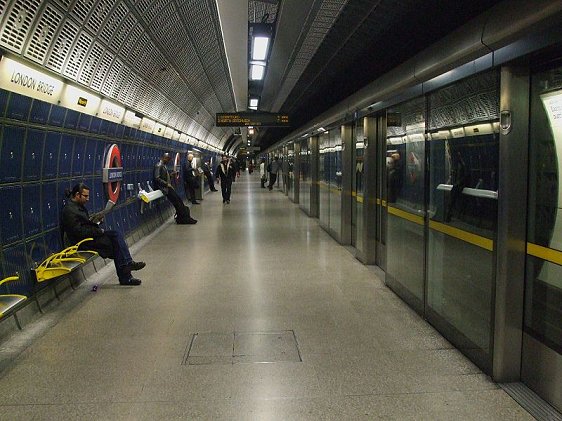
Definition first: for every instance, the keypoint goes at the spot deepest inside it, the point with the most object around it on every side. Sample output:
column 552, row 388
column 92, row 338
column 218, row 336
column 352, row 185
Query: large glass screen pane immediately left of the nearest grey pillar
column 463, row 178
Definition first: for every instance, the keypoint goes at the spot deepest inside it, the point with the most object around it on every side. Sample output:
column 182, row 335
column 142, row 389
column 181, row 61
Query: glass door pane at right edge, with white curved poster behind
column 543, row 284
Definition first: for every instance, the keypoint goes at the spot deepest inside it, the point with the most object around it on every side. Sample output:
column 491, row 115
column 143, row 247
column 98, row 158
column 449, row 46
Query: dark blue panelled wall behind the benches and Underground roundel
column 45, row 149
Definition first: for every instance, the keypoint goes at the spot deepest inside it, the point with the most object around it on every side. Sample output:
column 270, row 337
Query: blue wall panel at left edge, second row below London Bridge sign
column 11, row 154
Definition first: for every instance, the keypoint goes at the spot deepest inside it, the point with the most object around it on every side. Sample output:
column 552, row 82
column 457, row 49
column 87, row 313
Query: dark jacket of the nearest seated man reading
column 76, row 225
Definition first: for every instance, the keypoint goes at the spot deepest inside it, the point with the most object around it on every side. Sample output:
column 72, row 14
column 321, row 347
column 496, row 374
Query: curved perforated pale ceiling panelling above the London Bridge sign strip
column 163, row 58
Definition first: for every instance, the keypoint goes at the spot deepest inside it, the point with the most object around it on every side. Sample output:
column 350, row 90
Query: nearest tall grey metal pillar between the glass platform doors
column 511, row 239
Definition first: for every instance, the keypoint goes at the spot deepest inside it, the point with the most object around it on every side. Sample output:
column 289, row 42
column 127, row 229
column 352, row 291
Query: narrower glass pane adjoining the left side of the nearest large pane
column 405, row 157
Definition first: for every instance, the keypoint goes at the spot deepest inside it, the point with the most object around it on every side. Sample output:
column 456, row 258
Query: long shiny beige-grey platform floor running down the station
column 255, row 265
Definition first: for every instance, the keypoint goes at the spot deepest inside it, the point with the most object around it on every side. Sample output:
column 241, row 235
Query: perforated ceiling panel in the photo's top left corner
column 17, row 24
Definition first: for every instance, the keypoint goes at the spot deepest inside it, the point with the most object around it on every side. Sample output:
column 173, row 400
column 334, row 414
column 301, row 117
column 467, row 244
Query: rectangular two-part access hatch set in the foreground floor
column 242, row 347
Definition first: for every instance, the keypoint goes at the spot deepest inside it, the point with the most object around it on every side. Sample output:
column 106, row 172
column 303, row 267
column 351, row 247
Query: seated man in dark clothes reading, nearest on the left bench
column 77, row 225
